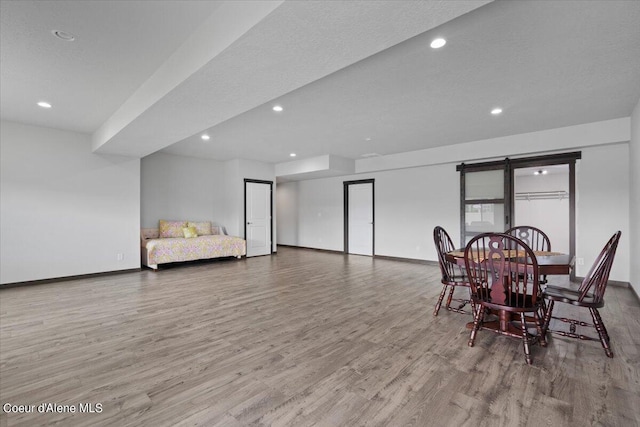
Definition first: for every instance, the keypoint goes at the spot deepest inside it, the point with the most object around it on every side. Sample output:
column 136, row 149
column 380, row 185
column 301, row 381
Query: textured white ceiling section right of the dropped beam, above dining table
column 547, row 64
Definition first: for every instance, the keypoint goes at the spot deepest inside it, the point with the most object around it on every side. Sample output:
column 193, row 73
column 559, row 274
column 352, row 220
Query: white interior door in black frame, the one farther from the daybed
column 360, row 219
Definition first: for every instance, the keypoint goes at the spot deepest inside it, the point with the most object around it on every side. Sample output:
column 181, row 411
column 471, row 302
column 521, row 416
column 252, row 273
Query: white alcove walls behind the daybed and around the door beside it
column 190, row 188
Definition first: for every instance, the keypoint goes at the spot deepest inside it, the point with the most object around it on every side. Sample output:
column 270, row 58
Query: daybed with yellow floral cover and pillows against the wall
column 177, row 241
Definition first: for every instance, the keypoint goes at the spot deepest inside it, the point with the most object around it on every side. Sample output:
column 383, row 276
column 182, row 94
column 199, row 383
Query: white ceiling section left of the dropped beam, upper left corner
column 119, row 45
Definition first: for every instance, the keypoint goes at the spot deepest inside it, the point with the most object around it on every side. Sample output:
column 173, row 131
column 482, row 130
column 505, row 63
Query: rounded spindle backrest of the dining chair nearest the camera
column 502, row 270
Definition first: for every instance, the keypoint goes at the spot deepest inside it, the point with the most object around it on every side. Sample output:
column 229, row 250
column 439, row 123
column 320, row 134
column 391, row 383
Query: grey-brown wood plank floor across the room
column 297, row 339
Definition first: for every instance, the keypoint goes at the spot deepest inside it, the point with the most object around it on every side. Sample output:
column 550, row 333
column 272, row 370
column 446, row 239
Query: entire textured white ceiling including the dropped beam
column 345, row 72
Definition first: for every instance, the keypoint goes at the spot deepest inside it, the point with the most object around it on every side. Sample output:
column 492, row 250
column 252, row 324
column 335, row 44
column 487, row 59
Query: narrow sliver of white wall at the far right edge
column 634, row 191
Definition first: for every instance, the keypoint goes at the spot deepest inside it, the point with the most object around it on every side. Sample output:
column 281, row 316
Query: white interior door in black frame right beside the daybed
column 258, row 215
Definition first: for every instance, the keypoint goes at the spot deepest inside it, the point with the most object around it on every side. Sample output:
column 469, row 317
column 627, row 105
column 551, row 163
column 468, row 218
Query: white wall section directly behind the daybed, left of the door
column 181, row 188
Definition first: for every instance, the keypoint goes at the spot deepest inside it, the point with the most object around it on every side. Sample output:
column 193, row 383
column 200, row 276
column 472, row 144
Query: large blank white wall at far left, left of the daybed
column 64, row 210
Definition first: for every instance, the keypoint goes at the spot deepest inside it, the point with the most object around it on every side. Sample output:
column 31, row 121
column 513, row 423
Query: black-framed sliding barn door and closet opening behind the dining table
column 492, row 201
